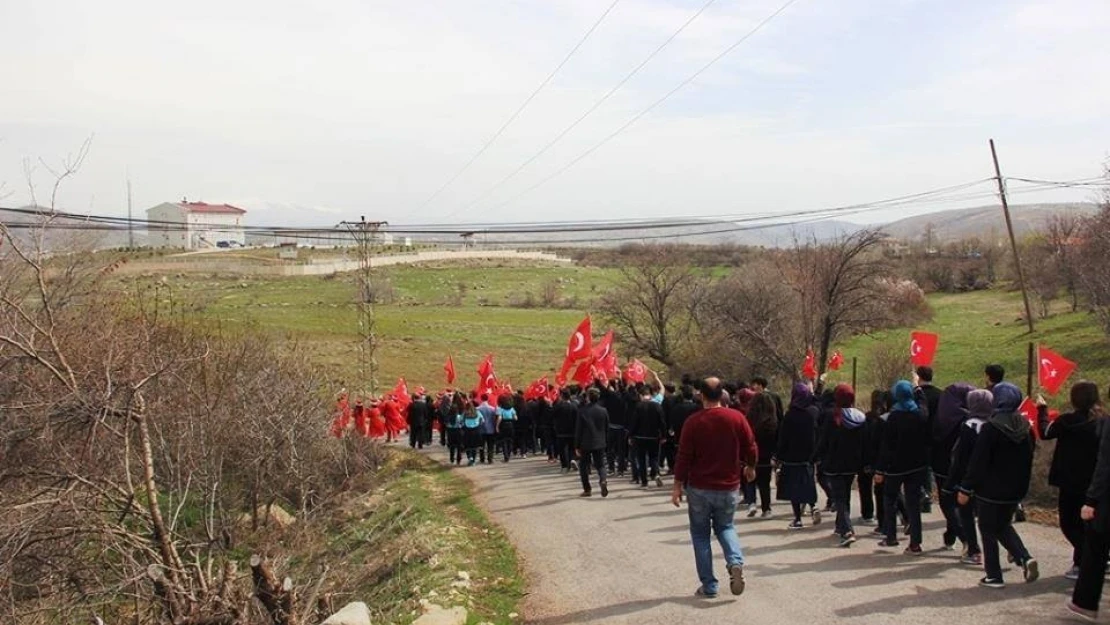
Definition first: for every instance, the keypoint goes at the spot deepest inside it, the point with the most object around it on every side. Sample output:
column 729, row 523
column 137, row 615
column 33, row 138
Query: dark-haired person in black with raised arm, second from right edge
column 1077, row 450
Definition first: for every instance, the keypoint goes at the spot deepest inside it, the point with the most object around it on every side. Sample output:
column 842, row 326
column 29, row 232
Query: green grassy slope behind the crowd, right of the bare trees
column 987, row 327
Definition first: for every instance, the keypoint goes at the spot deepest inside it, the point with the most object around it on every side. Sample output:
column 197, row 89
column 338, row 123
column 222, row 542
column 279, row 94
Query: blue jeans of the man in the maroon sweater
column 713, row 511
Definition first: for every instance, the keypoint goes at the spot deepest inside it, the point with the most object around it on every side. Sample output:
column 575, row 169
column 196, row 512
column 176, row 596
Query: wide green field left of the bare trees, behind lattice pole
column 427, row 321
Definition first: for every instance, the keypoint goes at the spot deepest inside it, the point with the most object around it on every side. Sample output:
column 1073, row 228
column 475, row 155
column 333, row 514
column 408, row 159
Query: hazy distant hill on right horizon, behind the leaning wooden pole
column 982, row 221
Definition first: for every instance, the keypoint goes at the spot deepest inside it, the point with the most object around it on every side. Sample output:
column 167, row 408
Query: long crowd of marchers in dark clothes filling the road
column 968, row 451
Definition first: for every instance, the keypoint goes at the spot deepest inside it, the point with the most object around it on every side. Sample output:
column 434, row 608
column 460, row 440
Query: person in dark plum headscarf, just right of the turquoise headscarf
column 952, row 411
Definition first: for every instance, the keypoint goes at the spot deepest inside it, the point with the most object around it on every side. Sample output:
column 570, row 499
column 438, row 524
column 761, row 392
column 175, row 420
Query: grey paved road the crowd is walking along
column 628, row 559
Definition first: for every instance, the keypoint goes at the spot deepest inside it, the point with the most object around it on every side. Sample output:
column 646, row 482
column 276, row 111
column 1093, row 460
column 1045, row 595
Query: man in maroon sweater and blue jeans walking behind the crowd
column 715, row 448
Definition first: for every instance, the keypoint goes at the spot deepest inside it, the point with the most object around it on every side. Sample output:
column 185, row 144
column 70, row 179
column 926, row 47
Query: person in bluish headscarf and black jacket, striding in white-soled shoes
column 998, row 479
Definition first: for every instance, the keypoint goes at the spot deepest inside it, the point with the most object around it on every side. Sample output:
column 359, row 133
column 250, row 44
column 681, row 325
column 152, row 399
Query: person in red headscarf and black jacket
column 841, row 455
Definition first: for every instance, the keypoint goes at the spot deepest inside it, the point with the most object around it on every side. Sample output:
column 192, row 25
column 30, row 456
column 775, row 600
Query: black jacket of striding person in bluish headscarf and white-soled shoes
column 1003, row 461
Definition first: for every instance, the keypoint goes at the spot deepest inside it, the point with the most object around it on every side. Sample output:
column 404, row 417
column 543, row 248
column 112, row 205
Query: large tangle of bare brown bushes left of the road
column 132, row 441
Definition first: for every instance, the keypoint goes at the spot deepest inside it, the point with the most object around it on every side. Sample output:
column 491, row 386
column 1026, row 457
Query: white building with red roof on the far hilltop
column 196, row 226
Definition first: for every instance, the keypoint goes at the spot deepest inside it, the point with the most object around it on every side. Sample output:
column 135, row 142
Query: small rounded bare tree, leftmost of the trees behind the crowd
column 652, row 304
